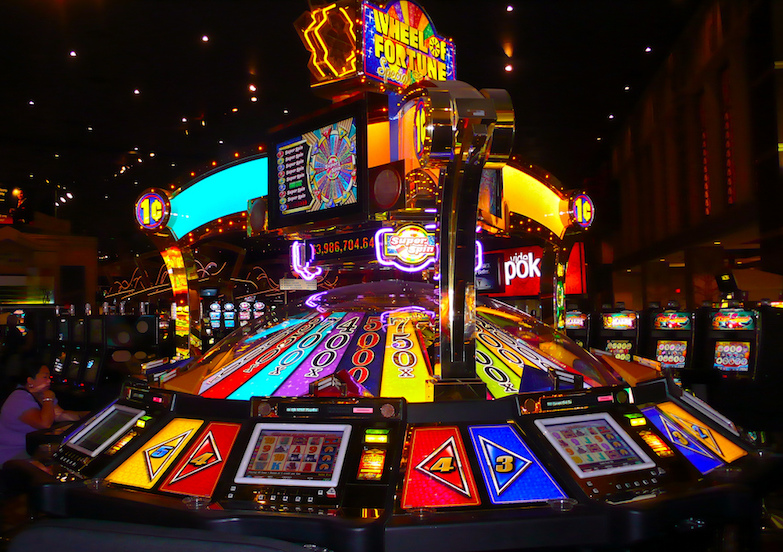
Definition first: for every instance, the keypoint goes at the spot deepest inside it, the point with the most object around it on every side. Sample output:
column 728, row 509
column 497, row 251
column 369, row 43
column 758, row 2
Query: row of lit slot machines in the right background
column 728, row 357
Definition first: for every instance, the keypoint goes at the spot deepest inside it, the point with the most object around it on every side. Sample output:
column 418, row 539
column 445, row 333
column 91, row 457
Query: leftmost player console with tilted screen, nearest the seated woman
column 112, row 434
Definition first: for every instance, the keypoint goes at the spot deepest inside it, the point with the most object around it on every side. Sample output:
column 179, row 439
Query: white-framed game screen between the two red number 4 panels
column 309, row 455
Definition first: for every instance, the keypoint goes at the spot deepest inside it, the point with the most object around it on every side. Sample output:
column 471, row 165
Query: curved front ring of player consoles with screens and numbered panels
column 352, row 474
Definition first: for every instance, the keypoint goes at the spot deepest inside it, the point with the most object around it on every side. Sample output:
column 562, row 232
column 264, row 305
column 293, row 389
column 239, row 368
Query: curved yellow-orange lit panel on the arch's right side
column 534, row 199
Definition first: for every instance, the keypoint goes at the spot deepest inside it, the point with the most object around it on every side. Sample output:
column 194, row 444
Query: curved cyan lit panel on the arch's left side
column 219, row 194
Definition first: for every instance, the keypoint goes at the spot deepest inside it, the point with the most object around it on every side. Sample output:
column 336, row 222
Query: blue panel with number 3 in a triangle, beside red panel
column 511, row 471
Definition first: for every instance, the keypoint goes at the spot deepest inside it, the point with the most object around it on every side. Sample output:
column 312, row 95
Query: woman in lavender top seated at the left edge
column 29, row 407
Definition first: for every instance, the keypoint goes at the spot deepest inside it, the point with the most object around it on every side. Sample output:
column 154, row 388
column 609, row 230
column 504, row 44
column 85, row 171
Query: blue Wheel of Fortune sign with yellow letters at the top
column 401, row 46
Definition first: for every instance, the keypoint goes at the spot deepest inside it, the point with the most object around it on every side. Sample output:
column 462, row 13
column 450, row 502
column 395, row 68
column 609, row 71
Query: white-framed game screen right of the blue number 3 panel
column 594, row 445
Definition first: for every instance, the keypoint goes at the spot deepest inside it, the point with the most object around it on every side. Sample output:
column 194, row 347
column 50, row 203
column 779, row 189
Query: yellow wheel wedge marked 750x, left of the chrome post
column 405, row 372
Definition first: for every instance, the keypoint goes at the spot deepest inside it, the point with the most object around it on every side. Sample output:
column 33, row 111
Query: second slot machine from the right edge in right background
column 669, row 339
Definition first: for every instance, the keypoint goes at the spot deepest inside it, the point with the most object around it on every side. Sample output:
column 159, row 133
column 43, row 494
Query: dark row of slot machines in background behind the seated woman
column 86, row 353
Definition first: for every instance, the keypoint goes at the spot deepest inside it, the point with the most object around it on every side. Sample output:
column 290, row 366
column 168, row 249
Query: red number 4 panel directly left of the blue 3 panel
column 438, row 473
